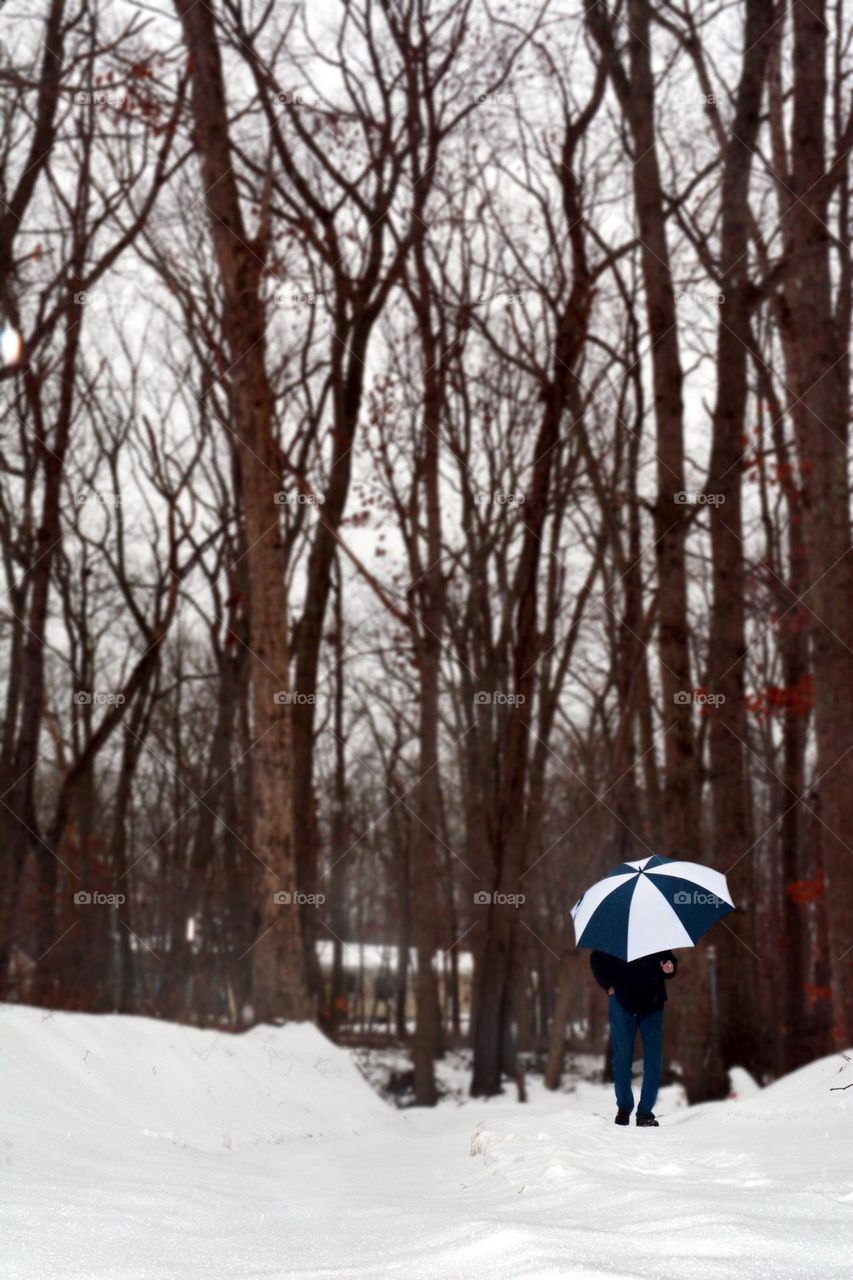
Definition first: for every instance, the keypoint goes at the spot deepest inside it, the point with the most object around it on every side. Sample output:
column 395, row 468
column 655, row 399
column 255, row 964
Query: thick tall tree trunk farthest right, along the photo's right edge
column 819, row 380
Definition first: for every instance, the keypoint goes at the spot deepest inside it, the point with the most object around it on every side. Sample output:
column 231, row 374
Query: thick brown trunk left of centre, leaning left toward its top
column 277, row 958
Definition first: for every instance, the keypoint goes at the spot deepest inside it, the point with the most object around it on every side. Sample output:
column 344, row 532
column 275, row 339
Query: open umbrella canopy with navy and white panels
column 651, row 906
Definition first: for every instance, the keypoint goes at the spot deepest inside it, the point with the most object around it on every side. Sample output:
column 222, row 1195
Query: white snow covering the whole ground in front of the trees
column 135, row 1150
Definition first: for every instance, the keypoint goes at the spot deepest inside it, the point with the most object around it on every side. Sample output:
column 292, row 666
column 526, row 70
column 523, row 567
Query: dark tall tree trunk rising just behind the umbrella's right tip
column 733, row 836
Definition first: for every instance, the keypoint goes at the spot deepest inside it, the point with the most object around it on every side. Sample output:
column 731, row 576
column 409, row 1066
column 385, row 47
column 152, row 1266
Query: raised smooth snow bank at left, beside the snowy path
column 86, row 1076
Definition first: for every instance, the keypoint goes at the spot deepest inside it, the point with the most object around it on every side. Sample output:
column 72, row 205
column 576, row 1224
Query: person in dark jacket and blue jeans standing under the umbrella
column 637, row 991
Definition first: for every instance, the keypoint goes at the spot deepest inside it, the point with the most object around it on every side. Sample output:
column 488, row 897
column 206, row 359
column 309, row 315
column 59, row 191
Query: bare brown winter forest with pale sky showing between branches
column 425, row 486
